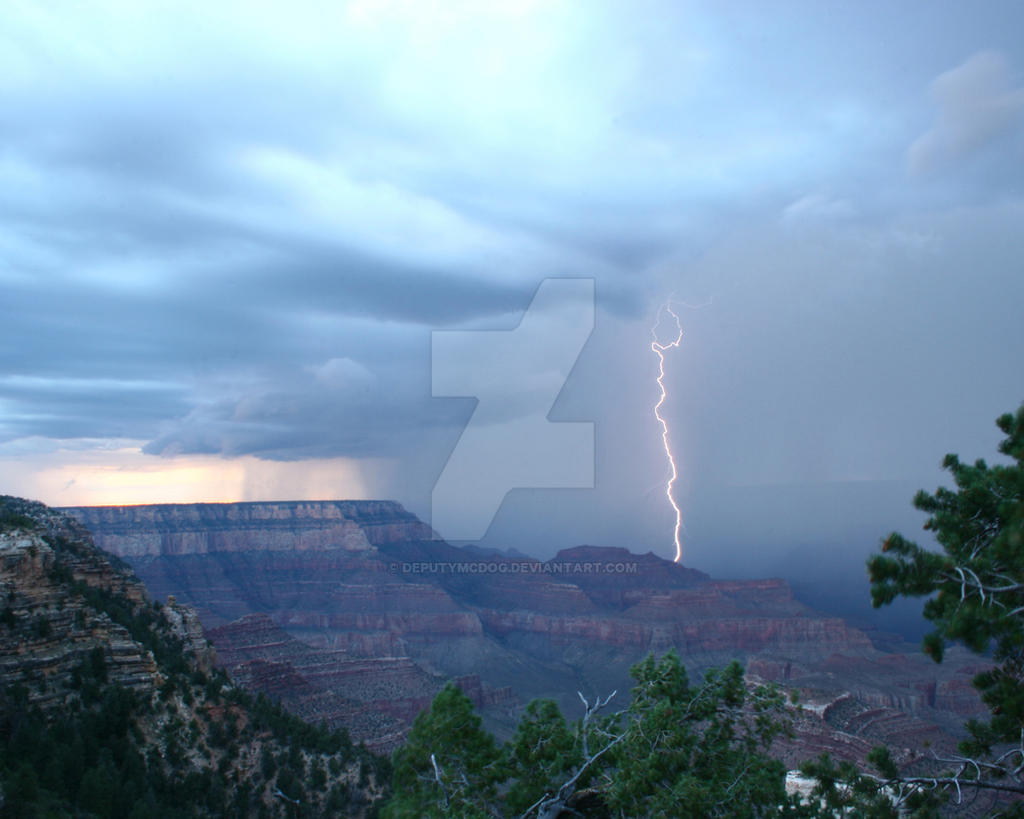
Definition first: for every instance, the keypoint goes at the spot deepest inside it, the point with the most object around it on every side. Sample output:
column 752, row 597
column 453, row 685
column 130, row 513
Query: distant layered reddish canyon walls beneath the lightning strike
column 355, row 613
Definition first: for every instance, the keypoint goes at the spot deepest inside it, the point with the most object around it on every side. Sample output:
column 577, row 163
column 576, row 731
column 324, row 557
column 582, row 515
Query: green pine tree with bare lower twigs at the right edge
column 976, row 597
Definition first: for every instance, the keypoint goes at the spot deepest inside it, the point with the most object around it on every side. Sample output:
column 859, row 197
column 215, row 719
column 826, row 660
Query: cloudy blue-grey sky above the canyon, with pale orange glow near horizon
column 228, row 231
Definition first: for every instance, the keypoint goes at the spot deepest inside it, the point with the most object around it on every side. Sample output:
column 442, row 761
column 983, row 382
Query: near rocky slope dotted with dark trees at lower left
column 111, row 706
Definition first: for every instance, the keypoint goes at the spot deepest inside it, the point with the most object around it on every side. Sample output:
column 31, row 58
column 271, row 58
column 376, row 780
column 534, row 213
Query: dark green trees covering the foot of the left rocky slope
column 100, row 758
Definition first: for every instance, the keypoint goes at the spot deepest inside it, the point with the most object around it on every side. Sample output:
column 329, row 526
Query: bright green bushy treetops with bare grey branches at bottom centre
column 676, row 751
